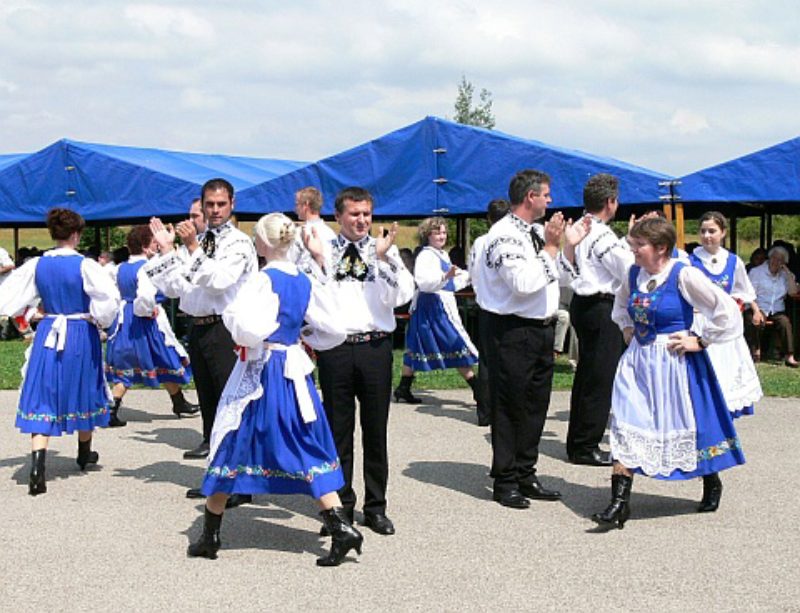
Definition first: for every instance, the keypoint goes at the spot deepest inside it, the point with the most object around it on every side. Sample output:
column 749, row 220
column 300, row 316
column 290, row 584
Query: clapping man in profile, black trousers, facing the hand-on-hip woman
column 521, row 293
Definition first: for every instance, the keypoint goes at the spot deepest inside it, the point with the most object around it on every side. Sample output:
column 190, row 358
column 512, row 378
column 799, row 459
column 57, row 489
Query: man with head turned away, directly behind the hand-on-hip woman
column 602, row 260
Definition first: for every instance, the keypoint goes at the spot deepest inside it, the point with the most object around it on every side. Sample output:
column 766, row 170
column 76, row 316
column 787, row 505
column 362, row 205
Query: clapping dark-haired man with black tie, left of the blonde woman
column 216, row 265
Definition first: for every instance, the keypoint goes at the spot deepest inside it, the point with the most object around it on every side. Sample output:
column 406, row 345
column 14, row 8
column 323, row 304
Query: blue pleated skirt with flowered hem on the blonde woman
column 274, row 451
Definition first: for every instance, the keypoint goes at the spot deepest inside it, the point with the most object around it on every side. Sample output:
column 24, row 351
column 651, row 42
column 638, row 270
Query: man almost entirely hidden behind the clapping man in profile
column 496, row 210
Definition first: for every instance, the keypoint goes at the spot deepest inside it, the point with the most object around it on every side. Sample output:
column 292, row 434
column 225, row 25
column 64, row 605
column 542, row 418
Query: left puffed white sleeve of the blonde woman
column 253, row 315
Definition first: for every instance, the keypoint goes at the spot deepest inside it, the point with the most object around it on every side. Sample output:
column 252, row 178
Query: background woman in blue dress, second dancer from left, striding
column 142, row 348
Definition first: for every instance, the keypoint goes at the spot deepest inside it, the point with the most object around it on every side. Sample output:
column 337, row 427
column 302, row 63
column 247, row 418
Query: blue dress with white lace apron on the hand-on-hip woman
column 669, row 416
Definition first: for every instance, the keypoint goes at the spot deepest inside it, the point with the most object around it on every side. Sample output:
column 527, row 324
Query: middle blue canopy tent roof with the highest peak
column 436, row 166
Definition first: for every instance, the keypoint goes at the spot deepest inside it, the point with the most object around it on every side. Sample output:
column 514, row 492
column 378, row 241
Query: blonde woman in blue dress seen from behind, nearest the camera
column 270, row 433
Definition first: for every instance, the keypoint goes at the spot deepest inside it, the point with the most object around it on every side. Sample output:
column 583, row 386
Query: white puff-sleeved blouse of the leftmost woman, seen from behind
column 20, row 292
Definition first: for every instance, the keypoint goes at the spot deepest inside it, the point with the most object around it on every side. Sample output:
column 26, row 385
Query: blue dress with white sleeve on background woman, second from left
column 143, row 348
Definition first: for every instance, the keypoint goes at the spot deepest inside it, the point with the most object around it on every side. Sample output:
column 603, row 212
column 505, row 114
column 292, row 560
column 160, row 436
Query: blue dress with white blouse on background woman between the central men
column 435, row 337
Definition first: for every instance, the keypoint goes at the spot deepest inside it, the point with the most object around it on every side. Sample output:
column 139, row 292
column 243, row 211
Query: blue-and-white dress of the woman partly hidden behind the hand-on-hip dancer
column 731, row 360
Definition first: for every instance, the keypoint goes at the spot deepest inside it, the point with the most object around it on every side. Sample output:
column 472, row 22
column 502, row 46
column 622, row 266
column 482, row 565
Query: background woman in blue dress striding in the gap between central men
column 435, row 337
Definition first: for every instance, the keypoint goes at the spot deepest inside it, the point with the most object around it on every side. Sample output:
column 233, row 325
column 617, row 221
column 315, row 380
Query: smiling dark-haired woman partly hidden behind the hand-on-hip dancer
column 731, row 360
